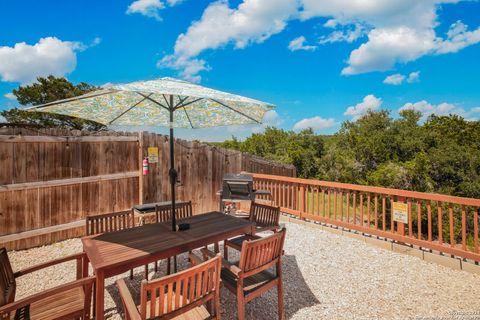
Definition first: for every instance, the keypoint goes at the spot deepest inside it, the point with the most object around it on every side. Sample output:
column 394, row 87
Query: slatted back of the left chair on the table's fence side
column 109, row 222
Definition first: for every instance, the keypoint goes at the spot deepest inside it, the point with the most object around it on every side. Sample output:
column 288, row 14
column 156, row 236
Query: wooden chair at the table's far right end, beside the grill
column 265, row 217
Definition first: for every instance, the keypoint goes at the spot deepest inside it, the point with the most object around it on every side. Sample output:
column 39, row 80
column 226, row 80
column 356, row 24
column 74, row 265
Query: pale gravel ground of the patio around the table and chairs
column 326, row 276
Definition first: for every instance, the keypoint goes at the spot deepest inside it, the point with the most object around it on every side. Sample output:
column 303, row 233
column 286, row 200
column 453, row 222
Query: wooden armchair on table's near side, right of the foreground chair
column 251, row 277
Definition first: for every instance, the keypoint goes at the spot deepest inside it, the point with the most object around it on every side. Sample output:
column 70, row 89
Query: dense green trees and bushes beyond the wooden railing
column 441, row 154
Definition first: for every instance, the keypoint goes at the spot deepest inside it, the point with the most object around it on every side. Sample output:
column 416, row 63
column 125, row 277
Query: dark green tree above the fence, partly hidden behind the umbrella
column 47, row 90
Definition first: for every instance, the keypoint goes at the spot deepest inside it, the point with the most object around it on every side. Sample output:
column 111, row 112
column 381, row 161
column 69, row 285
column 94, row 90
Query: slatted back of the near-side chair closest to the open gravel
column 261, row 254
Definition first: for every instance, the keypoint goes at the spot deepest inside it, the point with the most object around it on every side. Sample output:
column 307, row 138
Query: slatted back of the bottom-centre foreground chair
column 173, row 295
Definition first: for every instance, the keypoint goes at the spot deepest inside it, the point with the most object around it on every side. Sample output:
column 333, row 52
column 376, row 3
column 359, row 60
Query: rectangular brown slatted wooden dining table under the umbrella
column 114, row 253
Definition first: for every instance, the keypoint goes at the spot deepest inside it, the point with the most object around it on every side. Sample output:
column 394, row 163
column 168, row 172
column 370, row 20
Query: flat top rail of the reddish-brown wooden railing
column 379, row 190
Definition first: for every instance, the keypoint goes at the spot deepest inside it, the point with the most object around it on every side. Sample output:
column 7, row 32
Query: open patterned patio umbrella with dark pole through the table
column 165, row 102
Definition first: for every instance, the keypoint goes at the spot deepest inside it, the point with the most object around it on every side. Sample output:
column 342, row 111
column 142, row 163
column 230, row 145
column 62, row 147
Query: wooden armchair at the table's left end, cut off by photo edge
column 68, row 301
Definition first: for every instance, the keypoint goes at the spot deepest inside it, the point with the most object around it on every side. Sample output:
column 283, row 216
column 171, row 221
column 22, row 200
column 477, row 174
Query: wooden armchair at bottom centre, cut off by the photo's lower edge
column 178, row 296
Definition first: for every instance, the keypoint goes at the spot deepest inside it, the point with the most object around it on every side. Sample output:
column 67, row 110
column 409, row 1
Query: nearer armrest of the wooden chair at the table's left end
column 45, row 294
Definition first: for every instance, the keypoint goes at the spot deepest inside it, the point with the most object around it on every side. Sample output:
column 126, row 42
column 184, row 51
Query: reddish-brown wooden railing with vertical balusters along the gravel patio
column 437, row 222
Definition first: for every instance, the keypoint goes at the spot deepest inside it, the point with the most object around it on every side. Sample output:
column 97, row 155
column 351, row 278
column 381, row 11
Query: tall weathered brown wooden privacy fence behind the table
column 51, row 179
